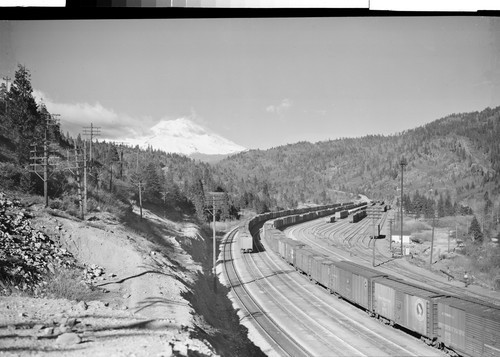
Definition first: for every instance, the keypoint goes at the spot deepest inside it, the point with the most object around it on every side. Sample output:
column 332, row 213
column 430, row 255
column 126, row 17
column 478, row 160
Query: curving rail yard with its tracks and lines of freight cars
column 306, row 287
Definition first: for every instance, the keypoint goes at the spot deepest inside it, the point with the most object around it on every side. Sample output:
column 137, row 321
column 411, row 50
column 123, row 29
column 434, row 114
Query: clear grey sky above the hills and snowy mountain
column 260, row 82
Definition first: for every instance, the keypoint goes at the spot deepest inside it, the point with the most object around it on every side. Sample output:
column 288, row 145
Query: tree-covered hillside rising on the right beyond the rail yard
column 455, row 159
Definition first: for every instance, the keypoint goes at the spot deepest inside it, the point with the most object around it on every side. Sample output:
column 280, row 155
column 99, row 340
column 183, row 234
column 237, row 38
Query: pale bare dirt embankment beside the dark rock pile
column 141, row 309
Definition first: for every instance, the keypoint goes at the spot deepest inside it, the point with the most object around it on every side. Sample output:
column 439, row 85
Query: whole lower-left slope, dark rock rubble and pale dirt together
column 137, row 306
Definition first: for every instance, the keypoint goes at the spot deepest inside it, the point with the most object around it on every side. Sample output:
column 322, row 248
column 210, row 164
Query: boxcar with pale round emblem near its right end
column 406, row 305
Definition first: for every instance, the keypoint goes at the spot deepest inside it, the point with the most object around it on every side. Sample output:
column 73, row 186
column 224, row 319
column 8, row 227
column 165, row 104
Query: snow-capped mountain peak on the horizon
column 186, row 137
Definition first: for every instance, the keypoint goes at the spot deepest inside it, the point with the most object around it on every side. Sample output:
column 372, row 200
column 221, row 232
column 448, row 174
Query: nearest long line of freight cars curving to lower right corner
column 459, row 325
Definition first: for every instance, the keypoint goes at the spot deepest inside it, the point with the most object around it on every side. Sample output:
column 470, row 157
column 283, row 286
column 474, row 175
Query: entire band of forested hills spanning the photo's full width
column 453, row 166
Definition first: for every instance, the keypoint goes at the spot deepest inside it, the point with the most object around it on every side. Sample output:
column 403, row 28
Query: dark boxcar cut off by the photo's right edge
column 469, row 328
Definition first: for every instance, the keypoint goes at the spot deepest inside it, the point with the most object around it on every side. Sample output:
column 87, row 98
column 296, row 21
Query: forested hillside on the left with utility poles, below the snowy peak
column 114, row 173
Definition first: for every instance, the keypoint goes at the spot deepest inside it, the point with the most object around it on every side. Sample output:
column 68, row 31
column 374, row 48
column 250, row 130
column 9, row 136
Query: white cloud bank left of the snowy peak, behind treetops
column 75, row 116
